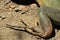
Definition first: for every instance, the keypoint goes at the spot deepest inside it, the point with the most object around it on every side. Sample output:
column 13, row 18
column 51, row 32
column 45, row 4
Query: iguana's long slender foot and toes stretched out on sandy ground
column 23, row 28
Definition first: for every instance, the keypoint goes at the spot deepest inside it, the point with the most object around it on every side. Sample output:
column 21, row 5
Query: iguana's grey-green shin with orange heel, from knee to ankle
column 45, row 23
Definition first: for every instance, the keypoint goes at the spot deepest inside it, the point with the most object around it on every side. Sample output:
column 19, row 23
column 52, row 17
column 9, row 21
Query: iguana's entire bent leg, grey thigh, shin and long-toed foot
column 45, row 26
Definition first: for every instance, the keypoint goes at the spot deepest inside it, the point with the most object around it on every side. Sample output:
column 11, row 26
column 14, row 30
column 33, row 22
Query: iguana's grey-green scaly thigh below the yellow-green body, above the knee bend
column 53, row 14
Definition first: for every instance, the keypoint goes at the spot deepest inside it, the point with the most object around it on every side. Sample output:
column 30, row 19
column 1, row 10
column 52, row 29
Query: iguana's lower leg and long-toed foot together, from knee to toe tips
column 44, row 28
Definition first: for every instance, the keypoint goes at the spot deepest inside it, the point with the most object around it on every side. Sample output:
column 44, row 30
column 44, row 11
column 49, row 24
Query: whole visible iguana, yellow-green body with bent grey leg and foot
column 49, row 11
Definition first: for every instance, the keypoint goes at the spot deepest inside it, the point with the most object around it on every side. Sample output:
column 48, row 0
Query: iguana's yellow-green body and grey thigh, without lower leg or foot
column 53, row 9
